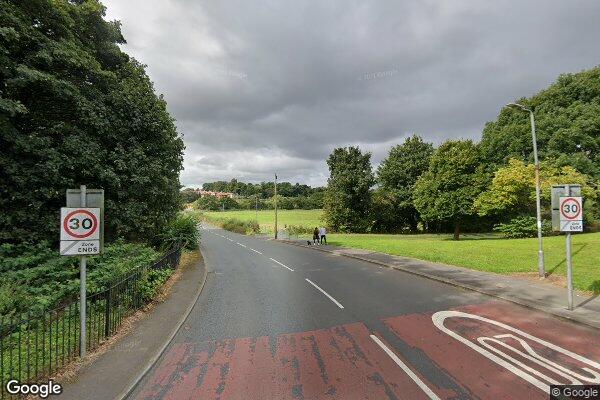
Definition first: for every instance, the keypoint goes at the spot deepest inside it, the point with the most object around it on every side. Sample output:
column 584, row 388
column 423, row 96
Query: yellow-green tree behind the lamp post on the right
column 512, row 190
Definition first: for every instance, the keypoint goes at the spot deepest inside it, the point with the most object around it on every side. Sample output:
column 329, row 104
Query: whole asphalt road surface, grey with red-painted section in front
column 276, row 321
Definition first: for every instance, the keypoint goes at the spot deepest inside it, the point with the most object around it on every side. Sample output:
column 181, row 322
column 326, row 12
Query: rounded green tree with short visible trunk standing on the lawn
column 447, row 190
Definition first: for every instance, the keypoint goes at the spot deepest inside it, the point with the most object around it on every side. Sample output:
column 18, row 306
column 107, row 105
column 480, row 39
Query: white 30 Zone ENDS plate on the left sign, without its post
column 79, row 231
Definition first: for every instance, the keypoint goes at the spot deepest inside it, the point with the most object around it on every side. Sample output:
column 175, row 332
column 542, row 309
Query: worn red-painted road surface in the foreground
column 345, row 363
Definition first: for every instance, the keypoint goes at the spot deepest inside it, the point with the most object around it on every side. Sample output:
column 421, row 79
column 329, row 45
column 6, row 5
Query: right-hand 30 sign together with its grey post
column 570, row 219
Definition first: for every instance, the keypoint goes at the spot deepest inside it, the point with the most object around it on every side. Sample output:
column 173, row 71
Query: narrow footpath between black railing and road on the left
column 112, row 374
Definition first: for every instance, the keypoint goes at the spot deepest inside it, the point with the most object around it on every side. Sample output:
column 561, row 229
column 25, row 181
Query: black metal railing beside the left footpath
column 33, row 347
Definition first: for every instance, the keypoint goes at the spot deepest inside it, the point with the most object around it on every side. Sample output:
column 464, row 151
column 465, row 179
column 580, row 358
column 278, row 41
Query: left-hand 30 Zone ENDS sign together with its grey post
column 81, row 234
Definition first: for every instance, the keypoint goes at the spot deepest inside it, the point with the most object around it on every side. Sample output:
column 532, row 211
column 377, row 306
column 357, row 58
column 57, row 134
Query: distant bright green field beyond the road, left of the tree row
column 266, row 218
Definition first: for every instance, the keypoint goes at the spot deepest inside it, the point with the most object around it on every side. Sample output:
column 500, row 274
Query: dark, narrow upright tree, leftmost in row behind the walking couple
column 348, row 195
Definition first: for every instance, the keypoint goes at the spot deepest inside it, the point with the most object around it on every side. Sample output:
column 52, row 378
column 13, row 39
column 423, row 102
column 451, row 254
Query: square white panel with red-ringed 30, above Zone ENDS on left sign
column 80, row 224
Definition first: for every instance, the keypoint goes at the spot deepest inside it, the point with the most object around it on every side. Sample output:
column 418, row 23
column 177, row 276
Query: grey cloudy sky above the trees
column 264, row 86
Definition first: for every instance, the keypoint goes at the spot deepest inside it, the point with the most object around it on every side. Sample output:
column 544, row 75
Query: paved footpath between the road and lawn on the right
column 540, row 296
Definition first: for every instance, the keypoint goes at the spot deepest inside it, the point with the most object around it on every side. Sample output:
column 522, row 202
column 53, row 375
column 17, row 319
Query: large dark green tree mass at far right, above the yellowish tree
column 567, row 124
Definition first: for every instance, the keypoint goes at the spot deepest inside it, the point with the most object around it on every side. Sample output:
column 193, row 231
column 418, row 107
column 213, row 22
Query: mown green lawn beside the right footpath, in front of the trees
column 490, row 253
